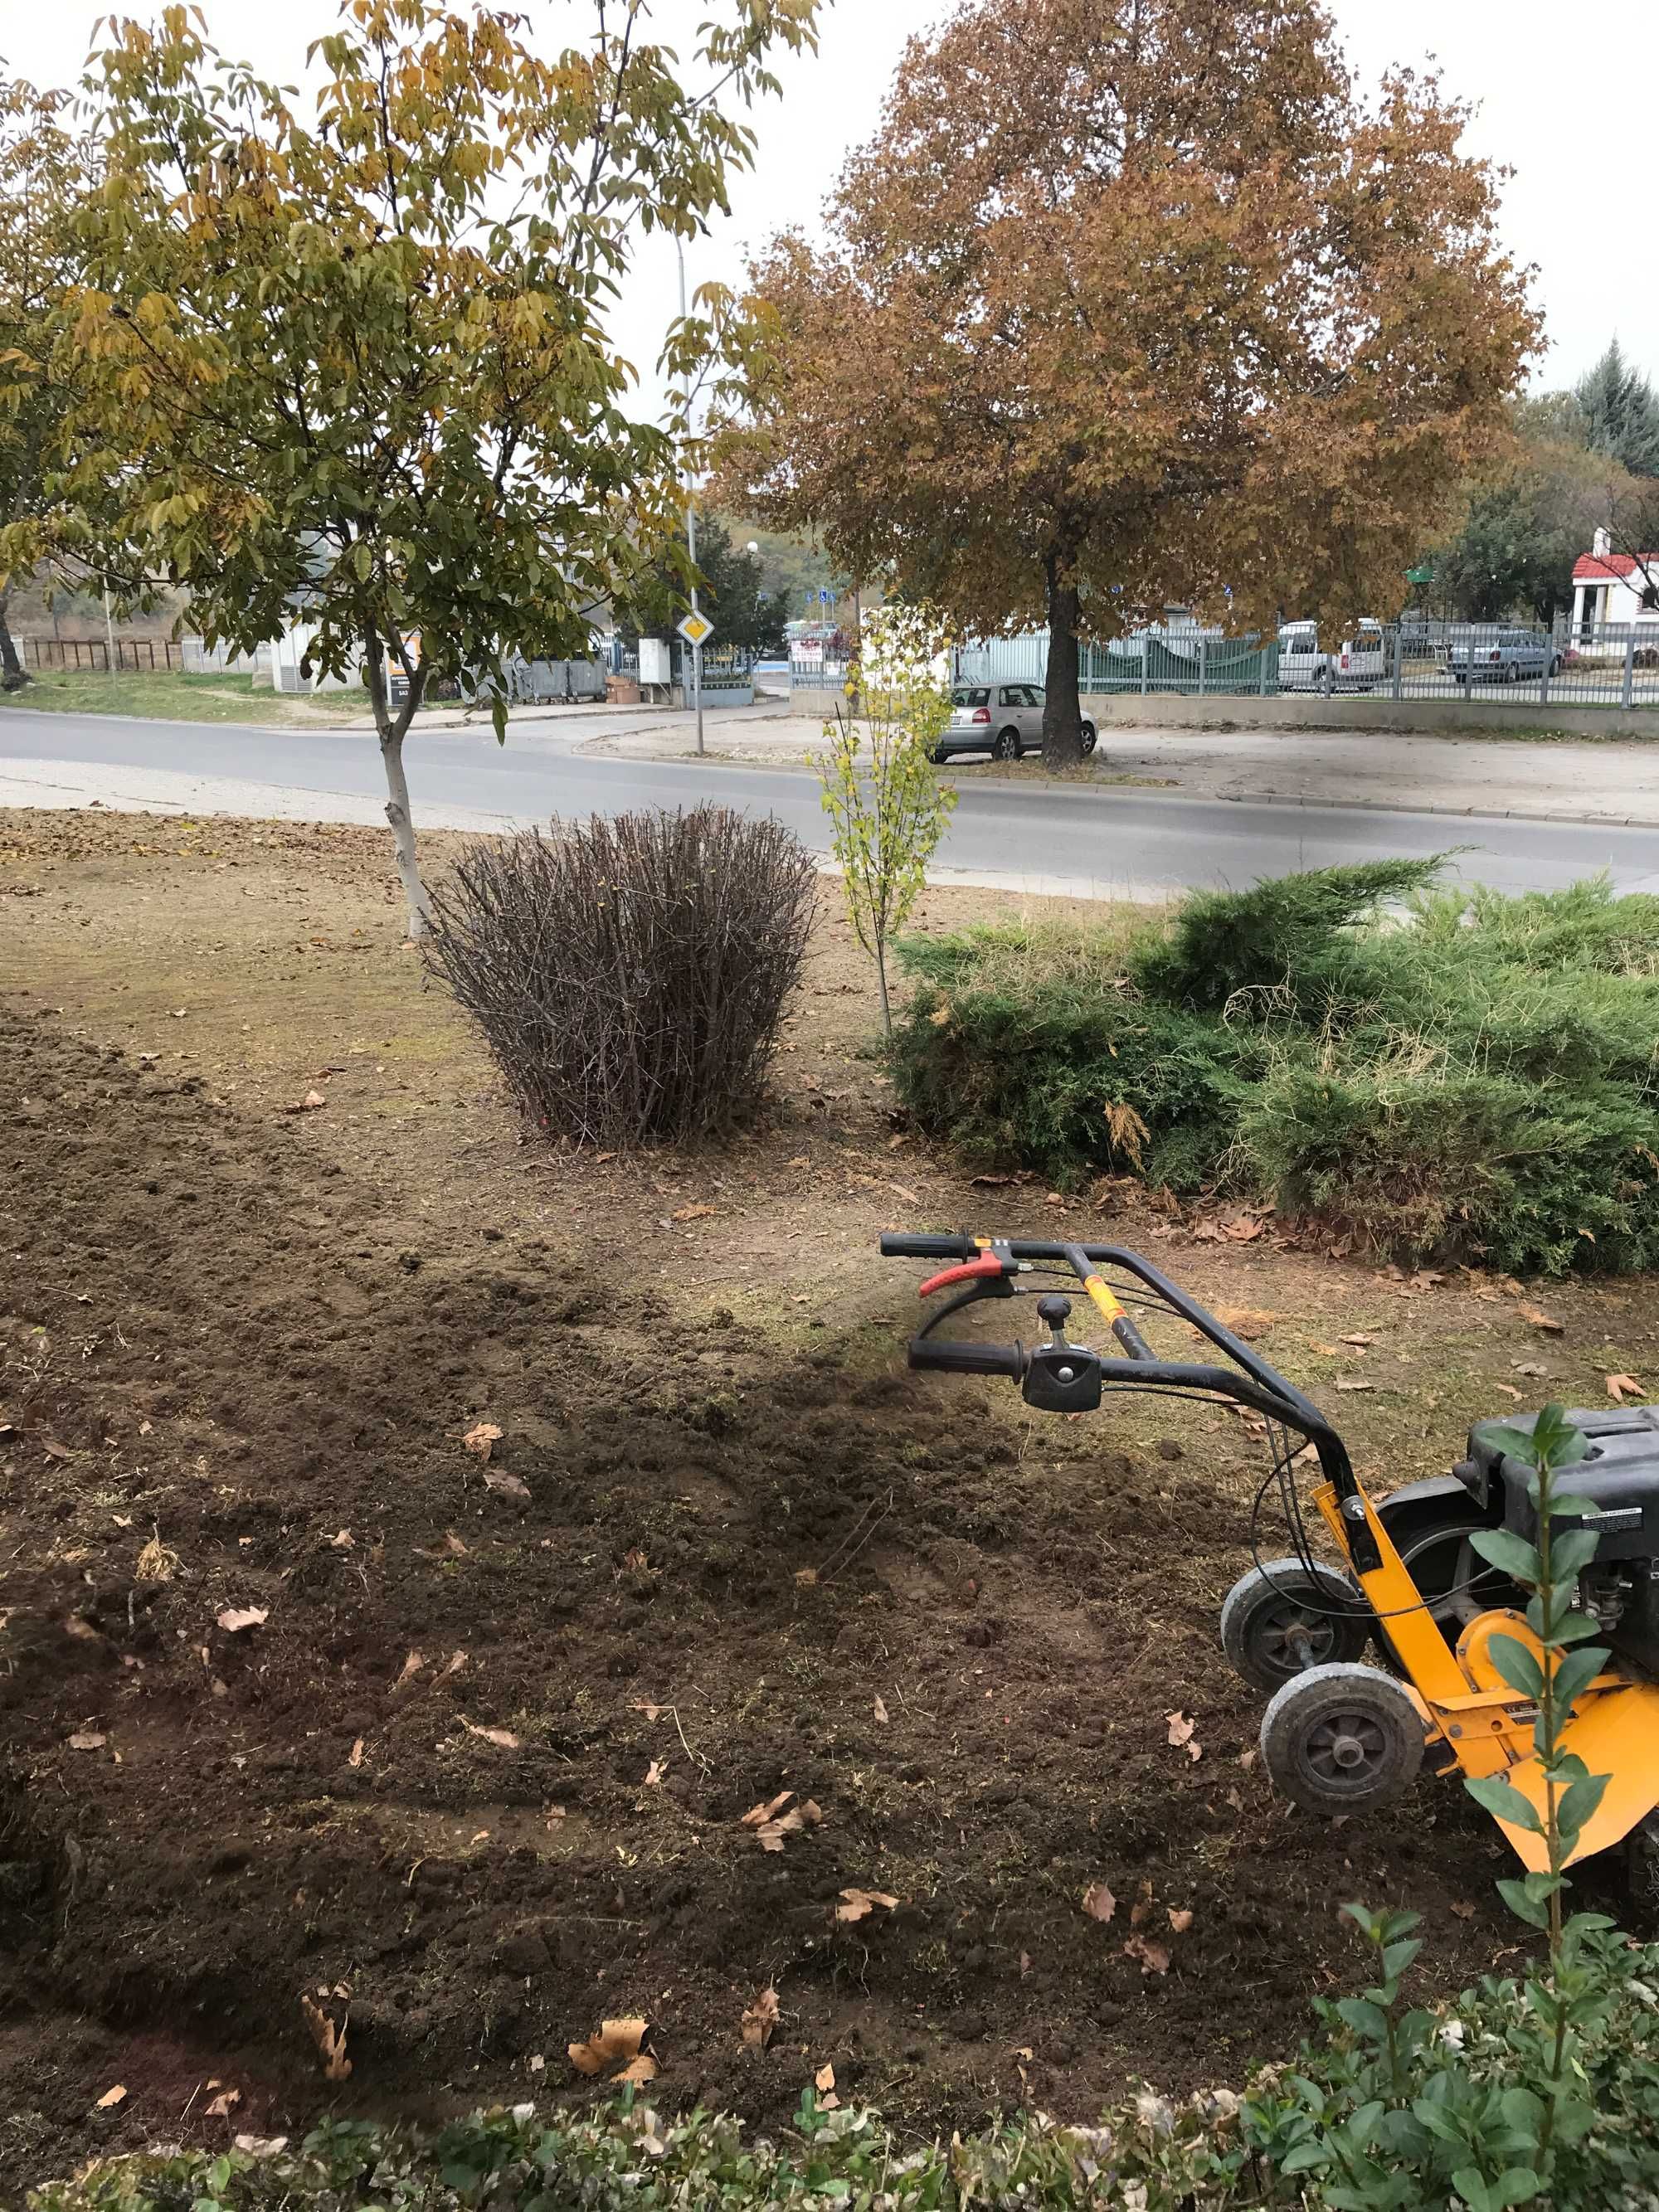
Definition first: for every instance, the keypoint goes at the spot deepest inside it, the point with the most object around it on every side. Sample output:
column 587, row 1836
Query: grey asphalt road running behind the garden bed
column 1109, row 842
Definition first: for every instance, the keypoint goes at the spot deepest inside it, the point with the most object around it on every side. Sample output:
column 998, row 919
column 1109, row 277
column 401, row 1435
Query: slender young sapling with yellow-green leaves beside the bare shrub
column 879, row 784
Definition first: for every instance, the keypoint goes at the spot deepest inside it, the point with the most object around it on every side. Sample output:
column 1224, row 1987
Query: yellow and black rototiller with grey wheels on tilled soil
column 1342, row 1733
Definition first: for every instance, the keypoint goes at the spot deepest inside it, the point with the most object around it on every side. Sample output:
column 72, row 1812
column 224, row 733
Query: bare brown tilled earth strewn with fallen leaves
column 477, row 1777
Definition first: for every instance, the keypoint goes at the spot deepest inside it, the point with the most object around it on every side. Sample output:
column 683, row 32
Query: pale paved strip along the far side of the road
column 1536, row 780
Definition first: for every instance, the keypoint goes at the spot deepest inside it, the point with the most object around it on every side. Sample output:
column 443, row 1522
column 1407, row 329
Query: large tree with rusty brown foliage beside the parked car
column 1138, row 302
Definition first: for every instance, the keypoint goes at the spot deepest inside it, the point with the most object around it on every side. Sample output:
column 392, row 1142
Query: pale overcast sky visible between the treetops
column 1565, row 103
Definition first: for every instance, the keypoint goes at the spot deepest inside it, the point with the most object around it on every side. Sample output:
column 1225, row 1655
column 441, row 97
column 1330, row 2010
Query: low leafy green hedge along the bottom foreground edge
column 1344, row 2127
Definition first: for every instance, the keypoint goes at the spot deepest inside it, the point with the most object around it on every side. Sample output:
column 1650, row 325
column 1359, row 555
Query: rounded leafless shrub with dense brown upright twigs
column 629, row 977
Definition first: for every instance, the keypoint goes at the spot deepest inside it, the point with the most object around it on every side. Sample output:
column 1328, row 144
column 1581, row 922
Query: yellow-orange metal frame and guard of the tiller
column 1488, row 1726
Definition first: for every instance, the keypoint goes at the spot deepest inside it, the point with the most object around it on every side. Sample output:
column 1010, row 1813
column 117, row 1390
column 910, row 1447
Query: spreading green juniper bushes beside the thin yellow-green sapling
column 1439, row 1074
